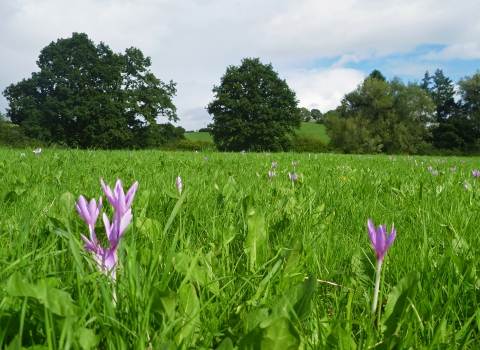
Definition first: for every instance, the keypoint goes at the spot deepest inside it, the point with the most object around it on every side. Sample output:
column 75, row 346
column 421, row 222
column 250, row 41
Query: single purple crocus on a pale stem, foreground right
column 380, row 244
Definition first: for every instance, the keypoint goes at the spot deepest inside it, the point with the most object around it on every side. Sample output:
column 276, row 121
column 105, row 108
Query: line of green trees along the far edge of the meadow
column 85, row 95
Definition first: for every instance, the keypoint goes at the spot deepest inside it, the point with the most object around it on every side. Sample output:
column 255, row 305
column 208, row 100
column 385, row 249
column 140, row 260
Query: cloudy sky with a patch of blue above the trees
column 322, row 48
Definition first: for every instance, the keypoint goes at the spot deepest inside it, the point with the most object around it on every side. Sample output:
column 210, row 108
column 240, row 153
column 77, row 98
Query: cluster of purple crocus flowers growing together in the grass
column 106, row 258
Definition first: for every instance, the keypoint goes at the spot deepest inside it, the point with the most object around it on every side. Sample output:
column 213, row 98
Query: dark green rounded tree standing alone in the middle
column 253, row 109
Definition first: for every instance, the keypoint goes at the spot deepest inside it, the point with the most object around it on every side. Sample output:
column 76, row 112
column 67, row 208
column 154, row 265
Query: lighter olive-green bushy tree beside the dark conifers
column 381, row 116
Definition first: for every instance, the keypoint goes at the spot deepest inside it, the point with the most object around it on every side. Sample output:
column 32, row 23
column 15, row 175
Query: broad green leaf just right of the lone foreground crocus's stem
column 398, row 300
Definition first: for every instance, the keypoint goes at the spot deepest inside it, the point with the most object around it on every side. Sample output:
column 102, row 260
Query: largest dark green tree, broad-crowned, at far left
column 86, row 96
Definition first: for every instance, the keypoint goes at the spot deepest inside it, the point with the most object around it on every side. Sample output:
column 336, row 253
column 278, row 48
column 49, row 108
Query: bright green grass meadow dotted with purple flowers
column 239, row 261
